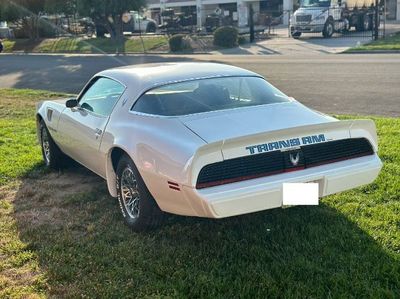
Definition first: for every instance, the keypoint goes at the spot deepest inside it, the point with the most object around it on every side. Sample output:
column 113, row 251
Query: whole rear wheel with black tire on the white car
column 138, row 207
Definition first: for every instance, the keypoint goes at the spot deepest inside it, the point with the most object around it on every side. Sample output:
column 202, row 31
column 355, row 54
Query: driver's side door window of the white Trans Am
column 101, row 96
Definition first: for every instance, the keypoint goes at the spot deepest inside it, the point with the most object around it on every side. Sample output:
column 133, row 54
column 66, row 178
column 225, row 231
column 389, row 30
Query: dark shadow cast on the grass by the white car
column 75, row 229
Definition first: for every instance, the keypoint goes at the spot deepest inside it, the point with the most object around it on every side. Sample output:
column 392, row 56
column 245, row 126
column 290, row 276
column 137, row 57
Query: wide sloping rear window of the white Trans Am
column 206, row 95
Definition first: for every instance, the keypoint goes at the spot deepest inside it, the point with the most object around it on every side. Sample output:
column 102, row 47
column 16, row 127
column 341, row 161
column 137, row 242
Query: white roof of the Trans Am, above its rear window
column 146, row 76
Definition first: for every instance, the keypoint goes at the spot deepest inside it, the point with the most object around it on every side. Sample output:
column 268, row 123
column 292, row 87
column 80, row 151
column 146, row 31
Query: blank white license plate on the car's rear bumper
column 300, row 194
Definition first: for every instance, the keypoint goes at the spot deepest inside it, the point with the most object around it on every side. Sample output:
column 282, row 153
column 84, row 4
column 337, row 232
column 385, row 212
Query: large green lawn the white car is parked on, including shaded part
column 61, row 234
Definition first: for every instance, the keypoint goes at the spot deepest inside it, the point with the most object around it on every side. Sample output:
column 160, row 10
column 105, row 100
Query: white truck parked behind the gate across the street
column 330, row 16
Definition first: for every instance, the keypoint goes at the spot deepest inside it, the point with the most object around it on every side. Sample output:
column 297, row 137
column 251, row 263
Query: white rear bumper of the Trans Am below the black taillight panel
column 266, row 193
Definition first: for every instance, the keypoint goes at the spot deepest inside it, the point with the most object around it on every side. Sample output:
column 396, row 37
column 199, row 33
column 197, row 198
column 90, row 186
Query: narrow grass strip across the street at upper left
column 92, row 45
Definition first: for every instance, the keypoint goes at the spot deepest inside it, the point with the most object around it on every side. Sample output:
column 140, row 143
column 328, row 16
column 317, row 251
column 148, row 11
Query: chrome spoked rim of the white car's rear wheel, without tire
column 130, row 193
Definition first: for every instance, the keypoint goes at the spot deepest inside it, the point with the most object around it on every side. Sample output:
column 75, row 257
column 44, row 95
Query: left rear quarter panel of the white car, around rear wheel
column 161, row 148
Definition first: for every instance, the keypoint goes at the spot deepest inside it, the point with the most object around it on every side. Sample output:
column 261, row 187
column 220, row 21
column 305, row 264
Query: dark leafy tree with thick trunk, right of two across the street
column 108, row 13
